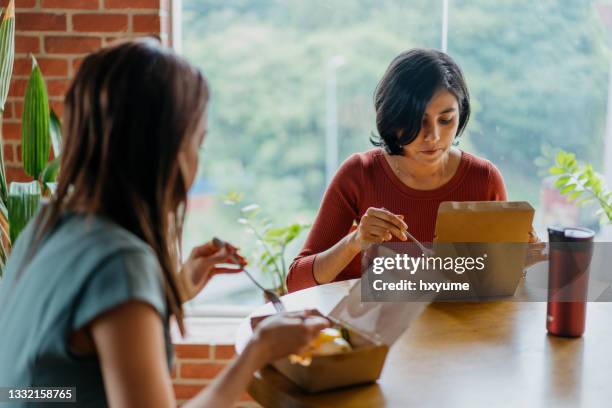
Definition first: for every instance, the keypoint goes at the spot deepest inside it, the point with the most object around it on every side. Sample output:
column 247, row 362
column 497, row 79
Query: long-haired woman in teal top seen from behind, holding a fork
column 94, row 279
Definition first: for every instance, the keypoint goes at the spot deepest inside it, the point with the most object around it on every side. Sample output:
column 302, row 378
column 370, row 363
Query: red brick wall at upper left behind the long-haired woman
column 59, row 33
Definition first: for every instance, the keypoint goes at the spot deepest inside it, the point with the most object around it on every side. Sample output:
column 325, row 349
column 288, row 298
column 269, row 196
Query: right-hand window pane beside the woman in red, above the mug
column 538, row 74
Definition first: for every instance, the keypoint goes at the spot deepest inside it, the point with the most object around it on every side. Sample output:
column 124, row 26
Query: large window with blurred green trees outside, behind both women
column 289, row 77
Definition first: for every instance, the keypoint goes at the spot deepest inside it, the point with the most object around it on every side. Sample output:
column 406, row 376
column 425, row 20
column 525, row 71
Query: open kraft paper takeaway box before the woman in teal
column 372, row 327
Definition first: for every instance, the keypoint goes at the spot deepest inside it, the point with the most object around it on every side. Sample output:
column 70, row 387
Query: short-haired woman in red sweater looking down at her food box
column 422, row 104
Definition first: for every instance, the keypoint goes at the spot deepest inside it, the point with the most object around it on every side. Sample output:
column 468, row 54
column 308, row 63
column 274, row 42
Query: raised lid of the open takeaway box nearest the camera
column 379, row 322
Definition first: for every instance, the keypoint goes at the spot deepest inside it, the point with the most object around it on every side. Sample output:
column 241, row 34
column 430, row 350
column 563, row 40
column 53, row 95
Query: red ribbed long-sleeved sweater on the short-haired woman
column 366, row 180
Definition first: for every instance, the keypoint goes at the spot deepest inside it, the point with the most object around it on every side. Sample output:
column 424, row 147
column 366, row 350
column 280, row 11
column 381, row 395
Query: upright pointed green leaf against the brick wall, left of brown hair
column 35, row 140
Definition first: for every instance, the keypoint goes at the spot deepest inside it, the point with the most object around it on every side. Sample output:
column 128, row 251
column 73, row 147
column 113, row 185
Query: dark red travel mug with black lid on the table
column 570, row 251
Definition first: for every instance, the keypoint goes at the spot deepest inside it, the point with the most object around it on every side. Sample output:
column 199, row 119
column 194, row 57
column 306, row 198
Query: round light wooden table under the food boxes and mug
column 464, row 355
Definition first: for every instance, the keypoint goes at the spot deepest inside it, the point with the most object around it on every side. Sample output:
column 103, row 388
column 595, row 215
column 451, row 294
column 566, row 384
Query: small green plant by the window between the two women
column 272, row 240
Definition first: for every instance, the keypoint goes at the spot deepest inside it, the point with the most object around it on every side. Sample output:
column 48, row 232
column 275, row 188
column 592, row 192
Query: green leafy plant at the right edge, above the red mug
column 581, row 184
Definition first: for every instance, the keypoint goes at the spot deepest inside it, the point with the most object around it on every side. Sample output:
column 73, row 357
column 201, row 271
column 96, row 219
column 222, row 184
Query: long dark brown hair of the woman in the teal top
column 128, row 113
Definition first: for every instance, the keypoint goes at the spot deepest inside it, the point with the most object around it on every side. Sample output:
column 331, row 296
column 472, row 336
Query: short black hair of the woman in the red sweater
column 402, row 95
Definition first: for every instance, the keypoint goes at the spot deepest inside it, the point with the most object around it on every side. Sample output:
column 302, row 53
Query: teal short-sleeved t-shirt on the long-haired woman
column 82, row 268
